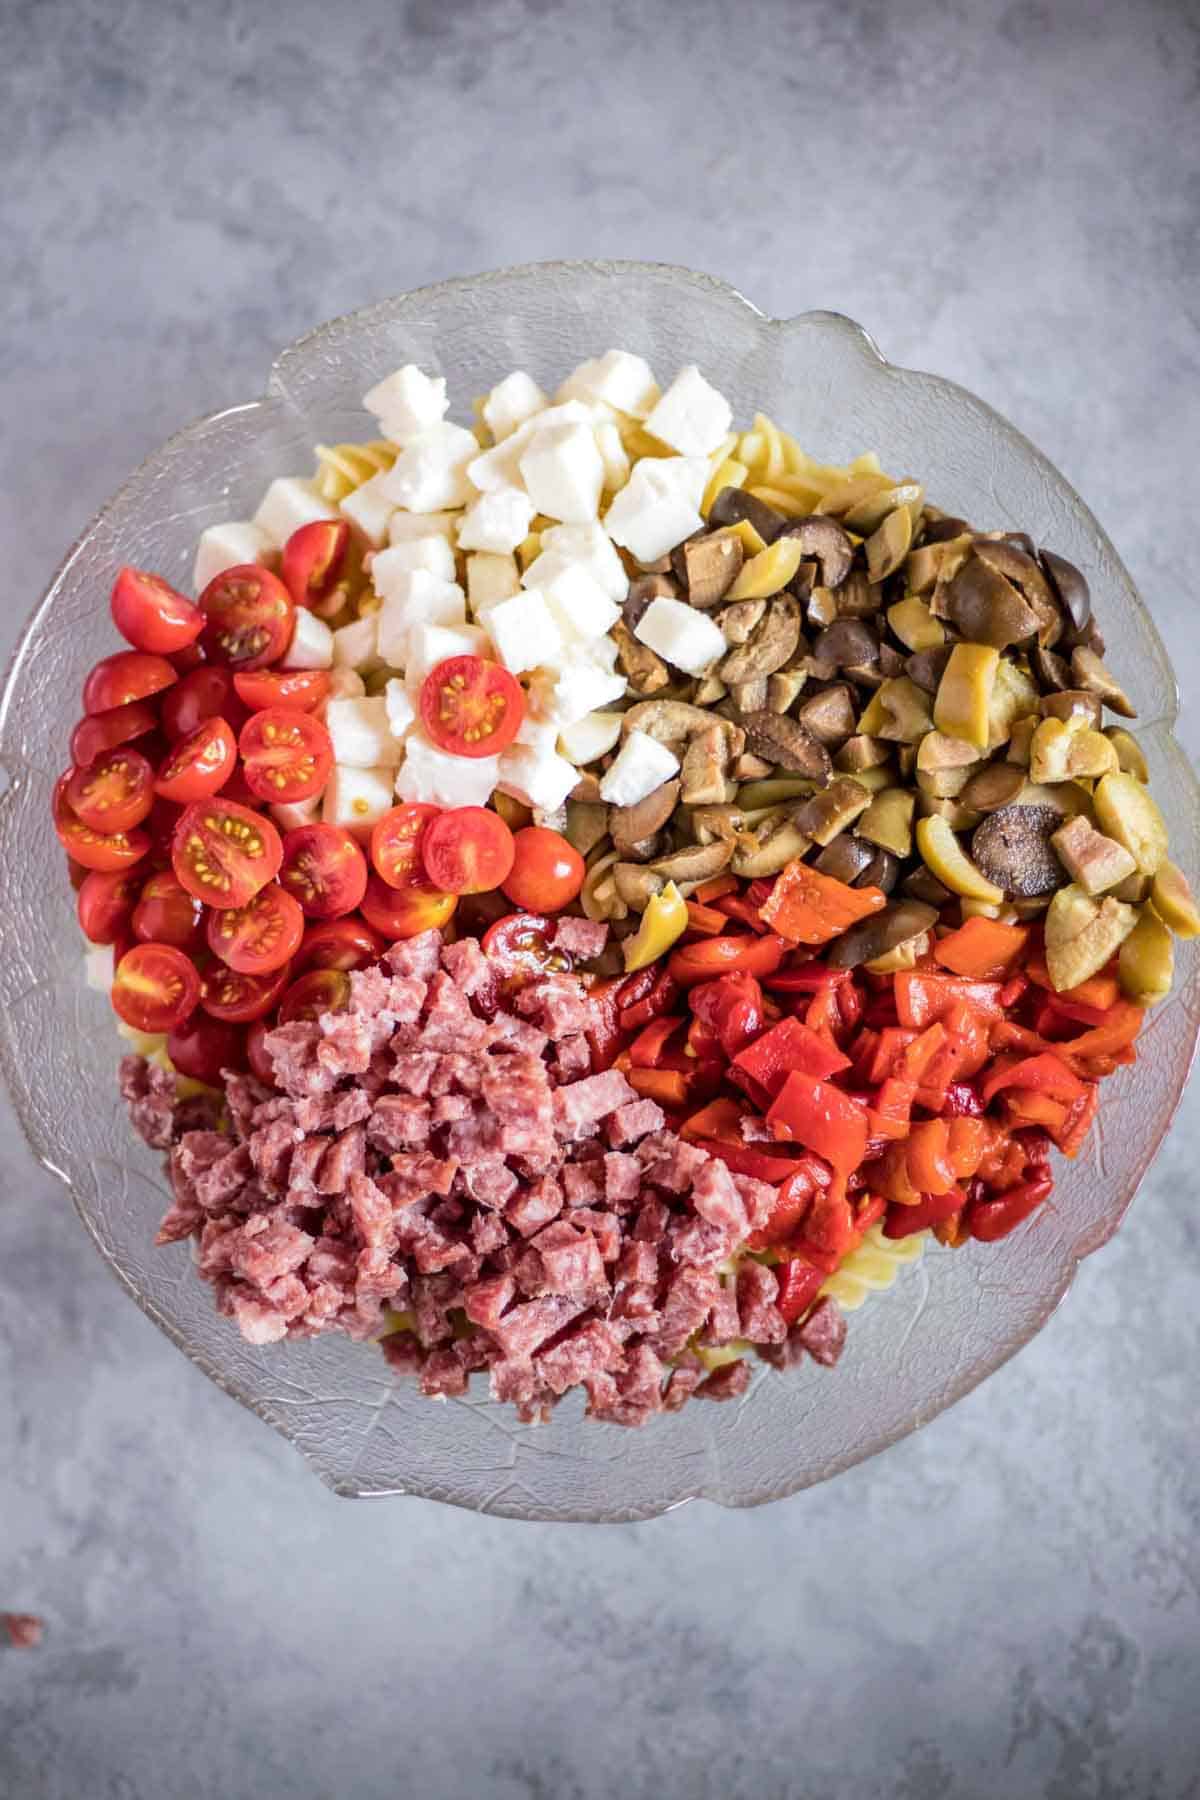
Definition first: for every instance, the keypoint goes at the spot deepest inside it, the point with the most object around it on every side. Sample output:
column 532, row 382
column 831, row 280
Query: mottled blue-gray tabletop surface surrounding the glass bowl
column 1008, row 1603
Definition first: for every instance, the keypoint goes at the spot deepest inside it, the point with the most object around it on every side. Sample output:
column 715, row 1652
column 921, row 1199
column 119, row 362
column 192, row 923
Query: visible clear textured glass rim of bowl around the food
column 954, row 1317
